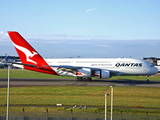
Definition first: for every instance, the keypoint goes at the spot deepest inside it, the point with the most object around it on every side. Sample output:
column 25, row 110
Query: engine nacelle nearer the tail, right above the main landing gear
column 84, row 72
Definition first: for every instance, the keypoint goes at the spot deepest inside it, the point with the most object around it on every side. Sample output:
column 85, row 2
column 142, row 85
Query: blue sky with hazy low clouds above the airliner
column 86, row 28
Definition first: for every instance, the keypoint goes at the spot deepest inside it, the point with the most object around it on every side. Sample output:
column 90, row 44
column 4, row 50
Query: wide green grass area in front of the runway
column 92, row 96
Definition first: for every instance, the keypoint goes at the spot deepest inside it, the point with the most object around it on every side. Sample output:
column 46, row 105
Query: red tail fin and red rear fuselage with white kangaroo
column 28, row 54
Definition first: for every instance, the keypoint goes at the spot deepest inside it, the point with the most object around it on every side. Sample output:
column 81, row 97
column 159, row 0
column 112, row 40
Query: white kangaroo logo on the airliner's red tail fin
column 27, row 53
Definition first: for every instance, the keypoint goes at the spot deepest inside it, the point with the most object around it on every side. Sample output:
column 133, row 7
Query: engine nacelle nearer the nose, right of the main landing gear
column 102, row 74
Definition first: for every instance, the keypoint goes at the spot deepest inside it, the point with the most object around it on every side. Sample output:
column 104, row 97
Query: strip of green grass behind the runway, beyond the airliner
column 31, row 74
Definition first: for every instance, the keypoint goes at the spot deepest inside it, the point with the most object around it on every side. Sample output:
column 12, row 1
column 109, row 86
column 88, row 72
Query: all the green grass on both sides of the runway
column 69, row 95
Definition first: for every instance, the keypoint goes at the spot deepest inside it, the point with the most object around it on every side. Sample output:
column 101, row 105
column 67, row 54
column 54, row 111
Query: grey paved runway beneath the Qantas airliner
column 28, row 82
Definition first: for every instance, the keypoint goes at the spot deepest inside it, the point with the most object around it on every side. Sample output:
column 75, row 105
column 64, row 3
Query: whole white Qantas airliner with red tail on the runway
column 83, row 69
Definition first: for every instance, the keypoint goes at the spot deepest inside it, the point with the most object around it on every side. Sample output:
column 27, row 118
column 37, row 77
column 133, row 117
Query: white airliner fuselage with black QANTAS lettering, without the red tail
column 123, row 66
